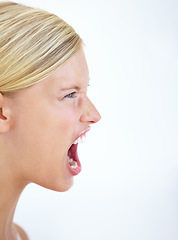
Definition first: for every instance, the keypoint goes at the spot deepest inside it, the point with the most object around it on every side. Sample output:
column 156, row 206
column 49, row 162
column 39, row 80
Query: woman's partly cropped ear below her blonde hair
column 5, row 116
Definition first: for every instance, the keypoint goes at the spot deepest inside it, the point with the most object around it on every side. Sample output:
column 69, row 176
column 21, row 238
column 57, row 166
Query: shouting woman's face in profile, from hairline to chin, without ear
column 47, row 120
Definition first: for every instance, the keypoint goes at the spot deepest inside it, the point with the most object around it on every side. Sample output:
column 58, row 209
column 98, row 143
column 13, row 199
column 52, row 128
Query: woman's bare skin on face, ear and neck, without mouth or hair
column 37, row 127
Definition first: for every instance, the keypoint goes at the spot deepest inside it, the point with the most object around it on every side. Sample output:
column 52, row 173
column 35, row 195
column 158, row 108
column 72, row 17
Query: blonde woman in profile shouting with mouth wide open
column 44, row 108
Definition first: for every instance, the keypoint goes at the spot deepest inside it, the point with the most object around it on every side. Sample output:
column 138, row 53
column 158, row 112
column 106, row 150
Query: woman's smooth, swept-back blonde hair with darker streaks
column 33, row 44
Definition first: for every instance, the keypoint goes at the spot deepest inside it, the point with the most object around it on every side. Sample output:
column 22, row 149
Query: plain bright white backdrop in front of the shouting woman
column 127, row 189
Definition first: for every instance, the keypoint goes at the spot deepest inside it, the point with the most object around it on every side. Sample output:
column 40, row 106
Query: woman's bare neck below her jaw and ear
column 10, row 192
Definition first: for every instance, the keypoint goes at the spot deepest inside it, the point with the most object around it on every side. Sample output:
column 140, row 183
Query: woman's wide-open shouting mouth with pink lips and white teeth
column 72, row 155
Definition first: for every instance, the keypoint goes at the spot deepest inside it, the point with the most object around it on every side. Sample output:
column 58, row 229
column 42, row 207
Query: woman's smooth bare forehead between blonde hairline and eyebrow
column 73, row 73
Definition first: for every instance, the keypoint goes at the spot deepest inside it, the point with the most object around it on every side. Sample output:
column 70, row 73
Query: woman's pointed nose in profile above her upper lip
column 90, row 114
